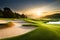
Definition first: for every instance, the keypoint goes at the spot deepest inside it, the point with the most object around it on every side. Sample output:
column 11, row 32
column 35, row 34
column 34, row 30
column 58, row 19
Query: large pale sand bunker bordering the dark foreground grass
column 14, row 31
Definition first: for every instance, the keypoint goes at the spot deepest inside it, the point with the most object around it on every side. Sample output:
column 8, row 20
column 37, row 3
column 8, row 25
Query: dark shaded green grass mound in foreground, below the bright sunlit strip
column 38, row 34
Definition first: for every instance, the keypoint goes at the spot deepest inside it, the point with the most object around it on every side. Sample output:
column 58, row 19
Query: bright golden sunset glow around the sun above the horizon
column 33, row 13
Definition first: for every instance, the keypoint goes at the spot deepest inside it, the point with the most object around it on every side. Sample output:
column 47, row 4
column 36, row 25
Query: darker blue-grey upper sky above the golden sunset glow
column 25, row 4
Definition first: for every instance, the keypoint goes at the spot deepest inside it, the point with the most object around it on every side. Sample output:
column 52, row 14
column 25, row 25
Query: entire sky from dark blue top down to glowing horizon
column 31, row 8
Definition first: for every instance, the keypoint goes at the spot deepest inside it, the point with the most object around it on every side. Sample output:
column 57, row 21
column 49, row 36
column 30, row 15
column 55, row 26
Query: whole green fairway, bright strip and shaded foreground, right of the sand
column 42, row 32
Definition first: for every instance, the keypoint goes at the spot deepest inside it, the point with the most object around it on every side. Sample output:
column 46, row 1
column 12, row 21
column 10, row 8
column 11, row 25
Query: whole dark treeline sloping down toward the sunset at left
column 8, row 13
